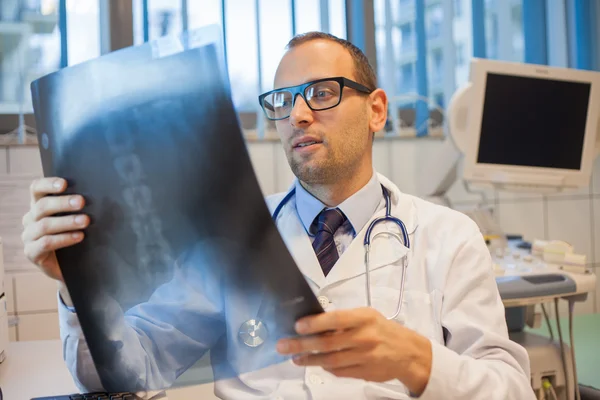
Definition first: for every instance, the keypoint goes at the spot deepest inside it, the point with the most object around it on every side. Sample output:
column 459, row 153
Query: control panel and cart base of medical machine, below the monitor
column 526, row 278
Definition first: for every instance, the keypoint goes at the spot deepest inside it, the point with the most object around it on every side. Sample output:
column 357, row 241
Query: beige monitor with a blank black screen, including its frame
column 530, row 127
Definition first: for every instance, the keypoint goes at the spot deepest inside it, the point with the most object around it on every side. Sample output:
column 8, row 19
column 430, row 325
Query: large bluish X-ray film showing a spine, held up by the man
column 182, row 256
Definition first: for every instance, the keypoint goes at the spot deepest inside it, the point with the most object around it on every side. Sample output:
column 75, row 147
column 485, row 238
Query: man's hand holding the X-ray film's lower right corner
column 361, row 343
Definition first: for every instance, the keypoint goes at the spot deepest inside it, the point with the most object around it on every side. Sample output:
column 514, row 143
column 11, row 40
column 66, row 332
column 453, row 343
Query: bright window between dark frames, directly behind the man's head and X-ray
column 251, row 66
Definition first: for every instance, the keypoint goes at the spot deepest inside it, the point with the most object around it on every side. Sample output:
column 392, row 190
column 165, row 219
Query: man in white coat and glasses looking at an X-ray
column 447, row 340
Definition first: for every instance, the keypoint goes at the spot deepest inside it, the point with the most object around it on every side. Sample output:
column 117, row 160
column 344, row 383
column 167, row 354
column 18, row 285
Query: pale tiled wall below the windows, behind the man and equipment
column 573, row 217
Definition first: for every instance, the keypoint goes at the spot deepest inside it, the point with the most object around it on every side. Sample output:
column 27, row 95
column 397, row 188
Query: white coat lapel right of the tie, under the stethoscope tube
column 385, row 250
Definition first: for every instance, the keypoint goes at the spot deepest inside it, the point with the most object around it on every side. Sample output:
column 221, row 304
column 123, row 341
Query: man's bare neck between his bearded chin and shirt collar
column 335, row 193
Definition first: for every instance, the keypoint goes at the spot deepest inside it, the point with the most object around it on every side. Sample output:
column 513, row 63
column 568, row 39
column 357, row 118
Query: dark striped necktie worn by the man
column 327, row 222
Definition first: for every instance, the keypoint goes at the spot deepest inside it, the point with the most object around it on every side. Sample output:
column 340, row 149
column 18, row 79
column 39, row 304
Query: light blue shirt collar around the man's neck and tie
column 358, row 208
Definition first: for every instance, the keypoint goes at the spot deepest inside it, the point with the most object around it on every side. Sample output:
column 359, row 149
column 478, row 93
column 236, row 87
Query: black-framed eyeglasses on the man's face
column 319, row 95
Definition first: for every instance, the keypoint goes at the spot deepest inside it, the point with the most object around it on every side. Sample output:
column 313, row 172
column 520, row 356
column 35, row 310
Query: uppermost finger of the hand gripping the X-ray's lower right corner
column 336, row 320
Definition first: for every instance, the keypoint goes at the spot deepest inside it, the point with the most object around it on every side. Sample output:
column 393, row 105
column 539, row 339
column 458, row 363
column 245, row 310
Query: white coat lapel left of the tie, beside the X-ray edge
column 298, row 243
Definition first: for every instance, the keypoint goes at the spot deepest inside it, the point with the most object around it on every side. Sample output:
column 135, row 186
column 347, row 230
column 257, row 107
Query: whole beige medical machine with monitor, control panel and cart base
column 526, row 128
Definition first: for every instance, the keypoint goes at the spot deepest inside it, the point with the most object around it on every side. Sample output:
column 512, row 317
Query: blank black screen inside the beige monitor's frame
column 533, row 122
